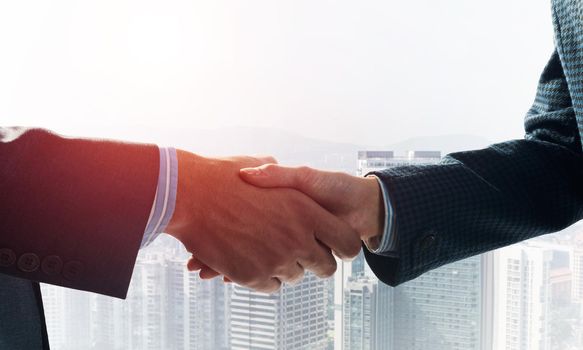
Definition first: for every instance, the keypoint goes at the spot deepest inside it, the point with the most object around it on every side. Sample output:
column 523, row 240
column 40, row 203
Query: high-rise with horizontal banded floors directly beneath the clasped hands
column 293, row 318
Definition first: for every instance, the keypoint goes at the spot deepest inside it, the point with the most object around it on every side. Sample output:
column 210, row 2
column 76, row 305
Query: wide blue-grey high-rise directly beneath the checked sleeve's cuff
column 442, row 309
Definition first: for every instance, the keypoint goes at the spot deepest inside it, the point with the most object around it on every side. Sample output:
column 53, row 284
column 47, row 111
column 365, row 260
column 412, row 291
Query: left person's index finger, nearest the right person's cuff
column 336, row 234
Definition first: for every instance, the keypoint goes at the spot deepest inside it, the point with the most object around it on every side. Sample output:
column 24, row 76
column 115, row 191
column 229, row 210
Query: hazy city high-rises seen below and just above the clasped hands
column 527, row 296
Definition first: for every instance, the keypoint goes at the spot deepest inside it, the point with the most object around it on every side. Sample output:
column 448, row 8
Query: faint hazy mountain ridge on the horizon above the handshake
column 288, row 148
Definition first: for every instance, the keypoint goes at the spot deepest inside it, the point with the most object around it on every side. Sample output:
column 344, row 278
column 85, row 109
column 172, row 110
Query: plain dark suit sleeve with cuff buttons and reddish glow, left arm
column 73, row 211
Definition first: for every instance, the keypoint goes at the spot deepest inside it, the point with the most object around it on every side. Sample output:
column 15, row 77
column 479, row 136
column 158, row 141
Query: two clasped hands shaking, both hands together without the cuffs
column 260, row 224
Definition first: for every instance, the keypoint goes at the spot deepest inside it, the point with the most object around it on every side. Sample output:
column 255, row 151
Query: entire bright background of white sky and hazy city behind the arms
column 310, row 82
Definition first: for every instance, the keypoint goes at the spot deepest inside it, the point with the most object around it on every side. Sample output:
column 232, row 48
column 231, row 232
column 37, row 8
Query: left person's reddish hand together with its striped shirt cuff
column 256, row 237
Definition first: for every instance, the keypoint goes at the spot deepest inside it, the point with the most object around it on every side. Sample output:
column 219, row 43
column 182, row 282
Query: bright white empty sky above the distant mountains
column 368, row 71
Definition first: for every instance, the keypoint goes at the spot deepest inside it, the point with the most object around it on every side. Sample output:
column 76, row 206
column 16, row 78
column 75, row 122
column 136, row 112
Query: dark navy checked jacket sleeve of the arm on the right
column 485, row 199
